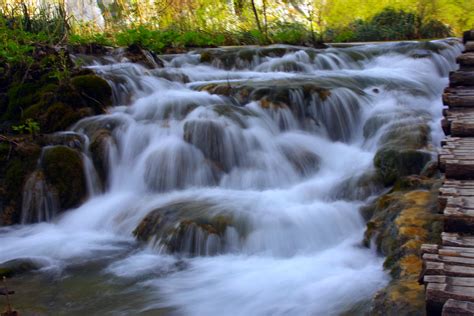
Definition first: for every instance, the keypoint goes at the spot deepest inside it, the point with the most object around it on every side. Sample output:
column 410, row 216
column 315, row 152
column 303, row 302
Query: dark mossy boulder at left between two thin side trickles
column 64, row 170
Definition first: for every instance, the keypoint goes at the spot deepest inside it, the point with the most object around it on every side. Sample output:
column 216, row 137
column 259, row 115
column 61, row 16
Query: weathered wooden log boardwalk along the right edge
column 448, row 269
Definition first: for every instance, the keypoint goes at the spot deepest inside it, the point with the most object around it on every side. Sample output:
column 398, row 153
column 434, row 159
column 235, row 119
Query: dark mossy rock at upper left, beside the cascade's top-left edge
column 94, row 89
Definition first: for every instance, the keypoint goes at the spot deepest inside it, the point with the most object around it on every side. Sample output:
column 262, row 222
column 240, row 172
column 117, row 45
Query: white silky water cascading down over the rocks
column 238, row 171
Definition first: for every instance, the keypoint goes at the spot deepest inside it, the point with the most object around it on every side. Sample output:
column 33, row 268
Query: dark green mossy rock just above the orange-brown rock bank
column 391, row 164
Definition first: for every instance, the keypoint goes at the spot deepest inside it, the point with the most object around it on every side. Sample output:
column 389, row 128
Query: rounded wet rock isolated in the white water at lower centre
column 191, row 228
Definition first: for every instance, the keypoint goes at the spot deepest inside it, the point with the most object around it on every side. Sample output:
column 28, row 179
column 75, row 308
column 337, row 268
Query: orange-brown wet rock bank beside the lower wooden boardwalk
column 400, row 222
